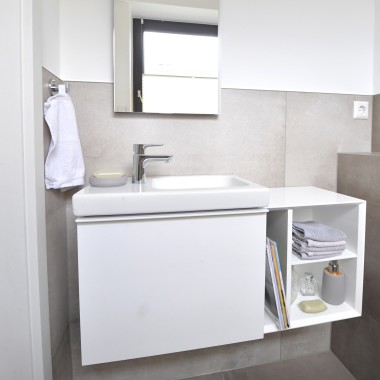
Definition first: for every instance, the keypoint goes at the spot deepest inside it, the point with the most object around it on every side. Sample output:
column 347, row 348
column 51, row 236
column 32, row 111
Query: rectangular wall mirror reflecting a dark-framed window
column 148, row 77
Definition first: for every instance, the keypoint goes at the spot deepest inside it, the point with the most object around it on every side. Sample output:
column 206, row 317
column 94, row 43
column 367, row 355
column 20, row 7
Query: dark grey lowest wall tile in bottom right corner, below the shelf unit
column 356, row 342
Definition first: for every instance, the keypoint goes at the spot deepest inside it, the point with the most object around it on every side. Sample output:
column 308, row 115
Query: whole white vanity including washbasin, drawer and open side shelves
column 159, row 282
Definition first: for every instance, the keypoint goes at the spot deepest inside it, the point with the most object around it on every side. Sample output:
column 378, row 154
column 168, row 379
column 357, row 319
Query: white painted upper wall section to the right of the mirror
column 296, row 45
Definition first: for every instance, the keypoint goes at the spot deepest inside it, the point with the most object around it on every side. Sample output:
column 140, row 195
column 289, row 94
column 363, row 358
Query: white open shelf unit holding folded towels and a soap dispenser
column 336, row 210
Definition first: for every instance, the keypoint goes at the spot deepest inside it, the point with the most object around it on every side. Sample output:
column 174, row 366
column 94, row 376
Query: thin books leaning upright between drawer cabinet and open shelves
column 275, row 300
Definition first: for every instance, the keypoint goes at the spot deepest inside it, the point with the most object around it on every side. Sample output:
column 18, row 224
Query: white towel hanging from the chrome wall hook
column 64, row 166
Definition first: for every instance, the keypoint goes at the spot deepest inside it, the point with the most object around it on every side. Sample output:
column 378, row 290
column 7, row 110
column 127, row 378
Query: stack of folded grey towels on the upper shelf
column 313, row 240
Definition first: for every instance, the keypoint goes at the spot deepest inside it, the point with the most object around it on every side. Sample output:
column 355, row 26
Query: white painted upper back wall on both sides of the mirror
column 295, row 45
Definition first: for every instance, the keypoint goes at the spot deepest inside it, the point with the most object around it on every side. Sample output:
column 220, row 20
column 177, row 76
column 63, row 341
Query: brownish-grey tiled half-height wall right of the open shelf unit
column 356, row 341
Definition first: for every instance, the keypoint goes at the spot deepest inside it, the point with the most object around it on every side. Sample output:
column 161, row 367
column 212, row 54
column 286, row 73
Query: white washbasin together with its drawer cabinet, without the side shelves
column 153, row 282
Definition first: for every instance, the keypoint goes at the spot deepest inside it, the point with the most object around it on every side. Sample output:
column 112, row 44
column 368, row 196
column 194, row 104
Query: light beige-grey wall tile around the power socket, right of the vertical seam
column 317, row 127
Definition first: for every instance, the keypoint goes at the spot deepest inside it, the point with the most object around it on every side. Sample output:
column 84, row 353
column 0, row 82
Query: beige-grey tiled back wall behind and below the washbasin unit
column 263, row 136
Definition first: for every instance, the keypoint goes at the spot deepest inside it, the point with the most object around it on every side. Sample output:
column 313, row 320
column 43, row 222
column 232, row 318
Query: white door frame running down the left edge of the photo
column 24, row 332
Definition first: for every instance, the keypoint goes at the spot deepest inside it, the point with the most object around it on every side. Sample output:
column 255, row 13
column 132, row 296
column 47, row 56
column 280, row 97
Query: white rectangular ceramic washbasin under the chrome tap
column 164, row 194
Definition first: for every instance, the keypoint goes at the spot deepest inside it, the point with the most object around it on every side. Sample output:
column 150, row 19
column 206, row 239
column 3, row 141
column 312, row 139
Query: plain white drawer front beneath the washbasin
column 152, row 287
